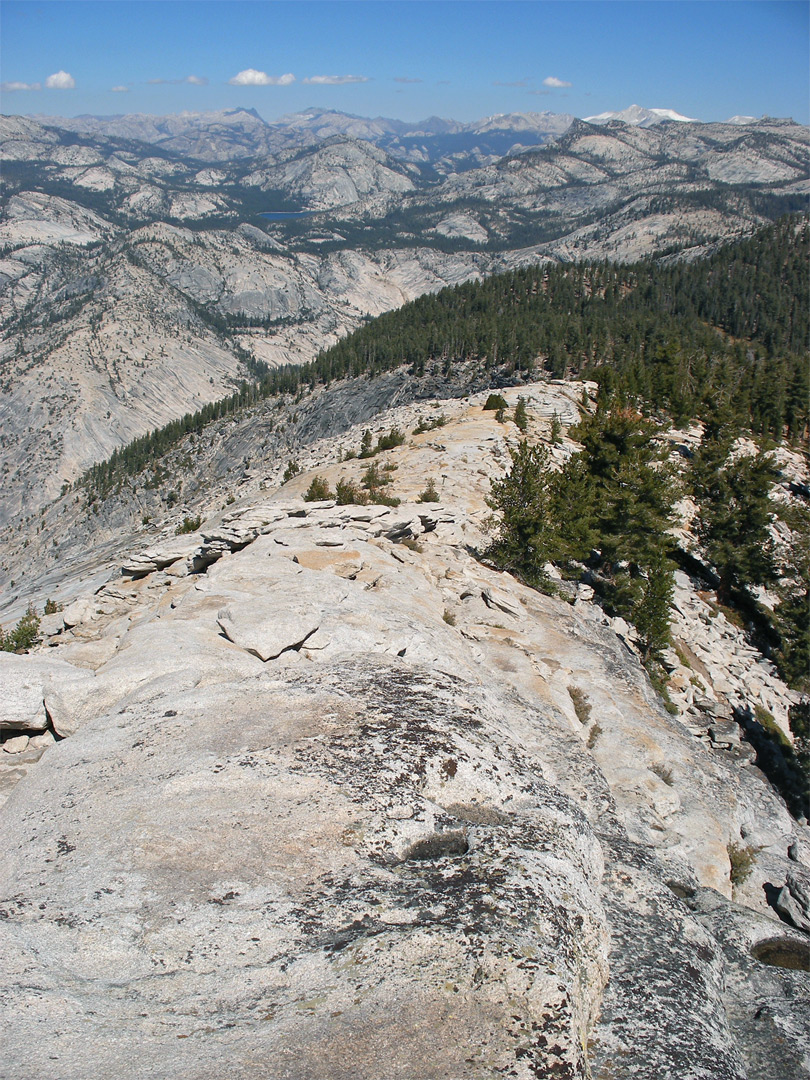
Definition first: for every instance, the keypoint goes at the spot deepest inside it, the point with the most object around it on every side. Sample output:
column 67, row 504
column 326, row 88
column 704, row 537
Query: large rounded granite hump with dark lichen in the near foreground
column 272, row 863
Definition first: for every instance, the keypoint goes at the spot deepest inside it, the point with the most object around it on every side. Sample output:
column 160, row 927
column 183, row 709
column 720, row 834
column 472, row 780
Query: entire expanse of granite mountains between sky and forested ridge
column 134, row 283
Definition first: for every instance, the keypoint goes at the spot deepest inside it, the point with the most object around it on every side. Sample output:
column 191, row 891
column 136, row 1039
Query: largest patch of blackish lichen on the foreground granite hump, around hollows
column 385, row 736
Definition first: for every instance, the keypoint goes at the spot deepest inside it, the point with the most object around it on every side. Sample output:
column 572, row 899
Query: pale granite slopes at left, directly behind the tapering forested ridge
column 107, row 344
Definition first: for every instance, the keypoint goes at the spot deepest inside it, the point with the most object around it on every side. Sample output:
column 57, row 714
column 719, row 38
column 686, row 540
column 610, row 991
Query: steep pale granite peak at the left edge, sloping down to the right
column 118, row 355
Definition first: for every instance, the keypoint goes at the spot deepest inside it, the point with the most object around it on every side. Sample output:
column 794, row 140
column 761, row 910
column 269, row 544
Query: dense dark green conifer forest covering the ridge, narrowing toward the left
column 727, row 334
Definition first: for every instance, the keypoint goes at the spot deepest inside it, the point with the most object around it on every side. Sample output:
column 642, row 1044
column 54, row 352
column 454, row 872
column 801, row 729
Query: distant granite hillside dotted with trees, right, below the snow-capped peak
column 628, row 193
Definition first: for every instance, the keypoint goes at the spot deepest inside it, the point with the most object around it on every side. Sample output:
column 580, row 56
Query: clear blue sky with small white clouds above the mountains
column 407, row 59
